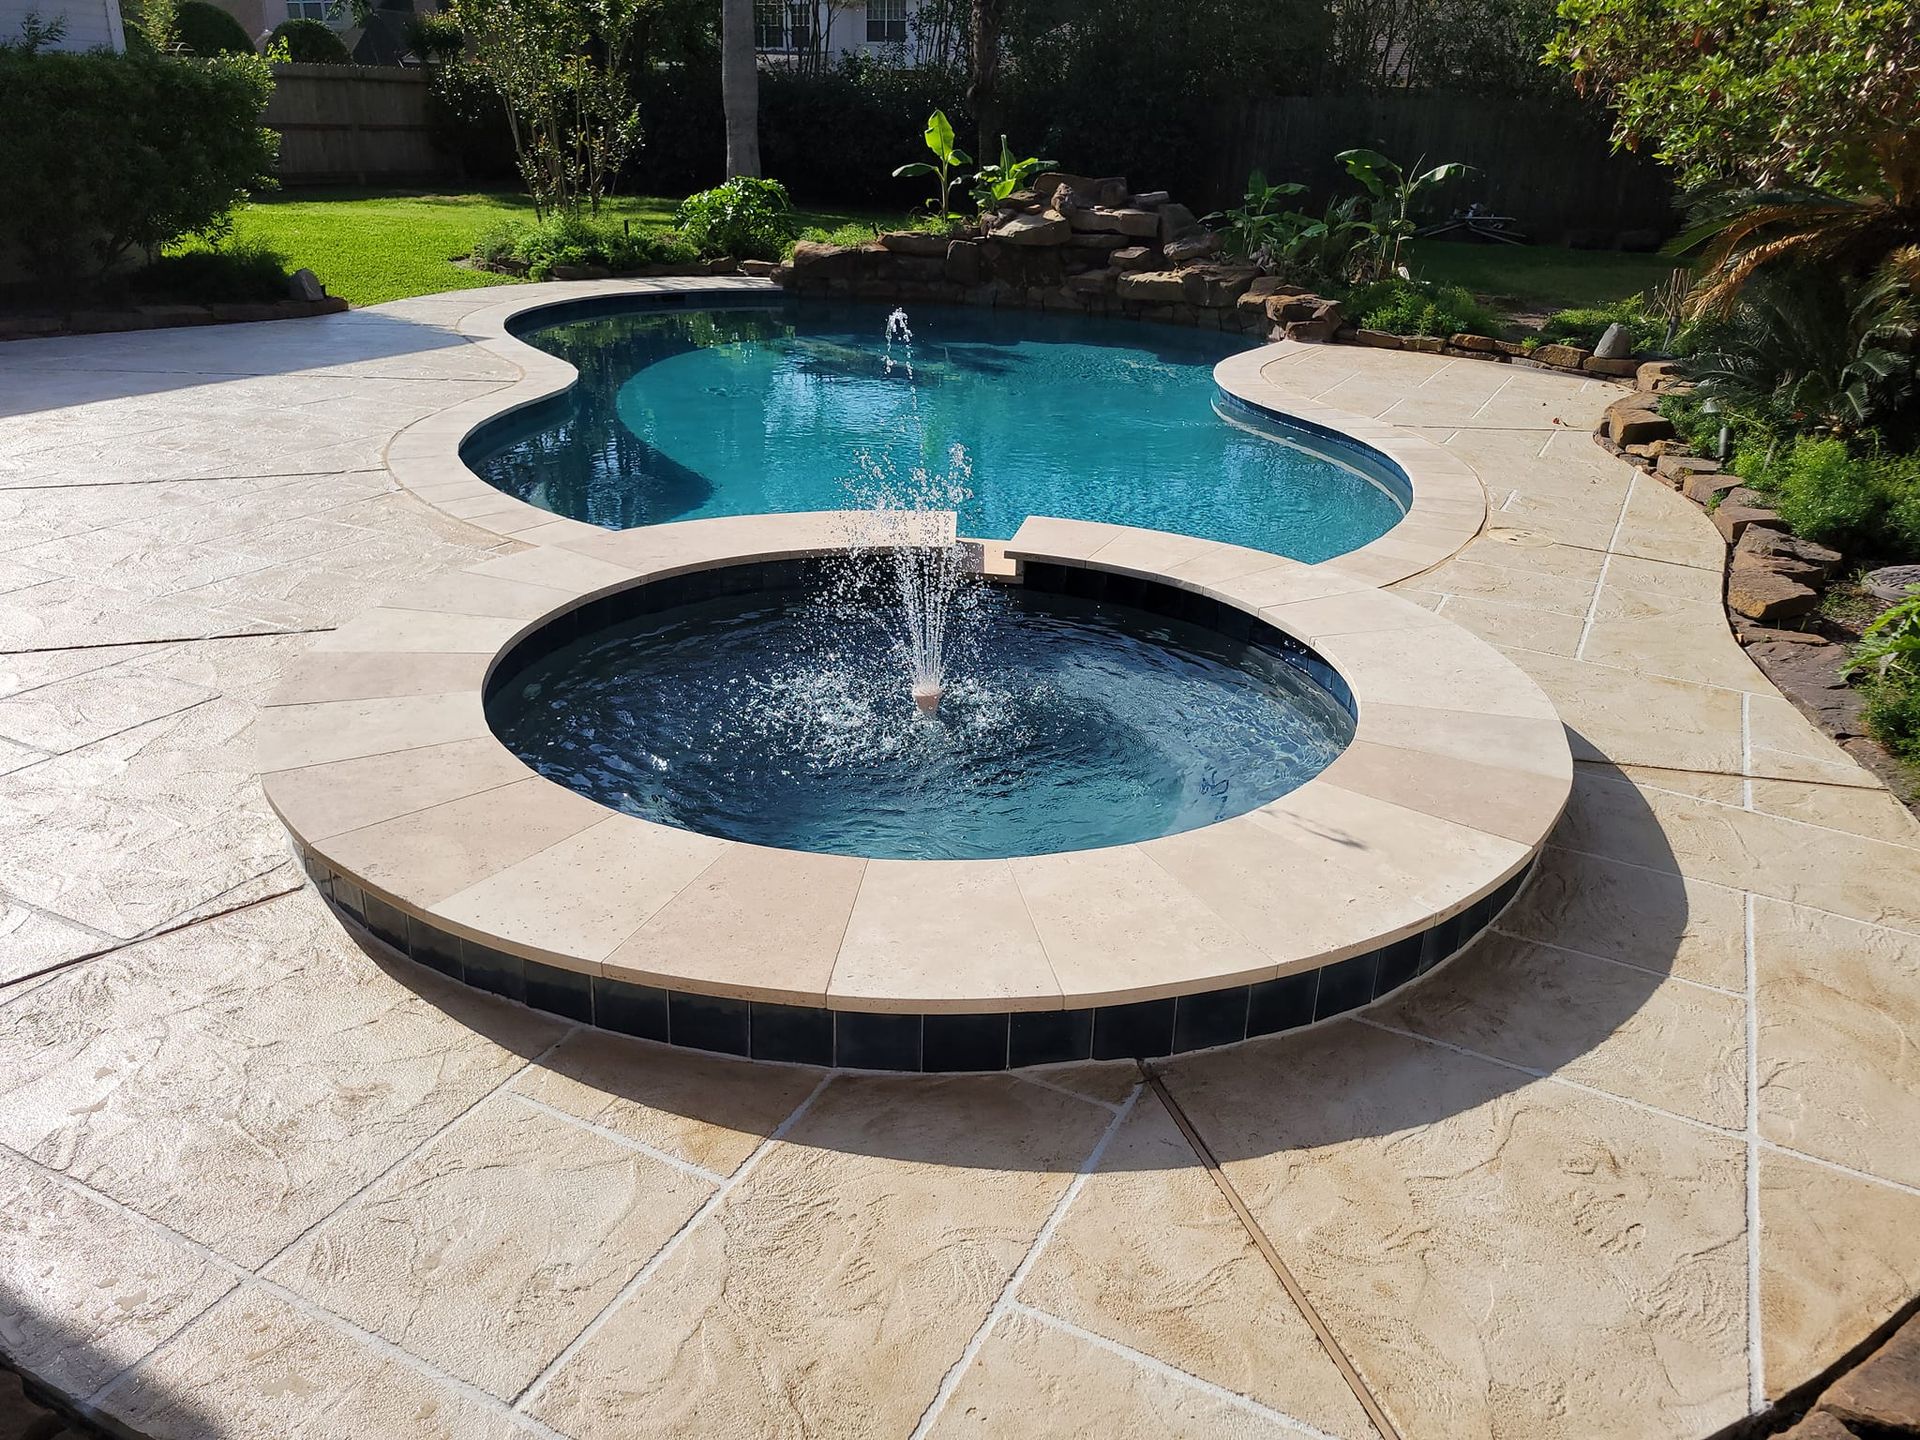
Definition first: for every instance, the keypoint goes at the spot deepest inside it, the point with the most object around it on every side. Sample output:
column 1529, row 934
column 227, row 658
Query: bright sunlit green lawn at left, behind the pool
column 379, row 245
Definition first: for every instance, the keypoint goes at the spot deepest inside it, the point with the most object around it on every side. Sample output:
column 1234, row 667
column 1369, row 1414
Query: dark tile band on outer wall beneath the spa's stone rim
column 924, row 1044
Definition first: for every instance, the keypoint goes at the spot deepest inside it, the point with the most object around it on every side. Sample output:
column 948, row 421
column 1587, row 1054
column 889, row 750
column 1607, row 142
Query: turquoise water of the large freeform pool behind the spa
column 738, row 410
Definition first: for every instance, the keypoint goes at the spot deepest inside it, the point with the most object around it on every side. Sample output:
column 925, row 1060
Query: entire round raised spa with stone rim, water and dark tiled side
column 700, row 786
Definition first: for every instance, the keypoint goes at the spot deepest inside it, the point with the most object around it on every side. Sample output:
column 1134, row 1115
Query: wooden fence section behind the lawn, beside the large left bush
column 352, row 126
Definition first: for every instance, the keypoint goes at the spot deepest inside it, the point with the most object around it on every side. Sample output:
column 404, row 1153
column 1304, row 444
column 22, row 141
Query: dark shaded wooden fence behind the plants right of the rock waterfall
column 1548, row 166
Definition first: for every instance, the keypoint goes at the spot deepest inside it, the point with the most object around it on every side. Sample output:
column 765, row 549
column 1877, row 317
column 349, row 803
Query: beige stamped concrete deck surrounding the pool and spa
column 1635, row 1166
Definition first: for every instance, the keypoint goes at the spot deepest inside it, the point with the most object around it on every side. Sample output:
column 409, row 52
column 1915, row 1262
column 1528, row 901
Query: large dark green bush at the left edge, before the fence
column 118, row 153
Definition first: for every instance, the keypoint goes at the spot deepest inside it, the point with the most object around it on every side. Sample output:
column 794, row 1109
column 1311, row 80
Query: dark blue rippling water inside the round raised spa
column 763, row 704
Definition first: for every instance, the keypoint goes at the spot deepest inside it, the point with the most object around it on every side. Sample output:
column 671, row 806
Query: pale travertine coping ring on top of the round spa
column 1456, row 775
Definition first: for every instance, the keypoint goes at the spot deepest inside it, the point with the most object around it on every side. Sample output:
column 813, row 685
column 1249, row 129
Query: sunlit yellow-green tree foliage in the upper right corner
column 1756, row 95
